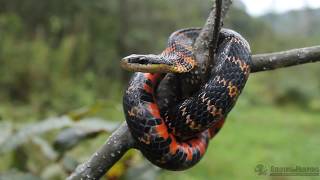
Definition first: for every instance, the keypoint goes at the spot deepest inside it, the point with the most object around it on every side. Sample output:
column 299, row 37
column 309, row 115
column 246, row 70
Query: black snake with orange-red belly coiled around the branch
column 177, row 137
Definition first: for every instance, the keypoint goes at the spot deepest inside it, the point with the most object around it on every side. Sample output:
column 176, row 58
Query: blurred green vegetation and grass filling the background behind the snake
column 62, row 58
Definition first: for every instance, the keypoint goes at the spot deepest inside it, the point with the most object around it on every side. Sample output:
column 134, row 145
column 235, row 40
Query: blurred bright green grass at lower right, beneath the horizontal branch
column 268, row 135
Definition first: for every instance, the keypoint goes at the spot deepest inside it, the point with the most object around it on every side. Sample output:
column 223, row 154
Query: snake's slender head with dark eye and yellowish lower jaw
column 152, row 64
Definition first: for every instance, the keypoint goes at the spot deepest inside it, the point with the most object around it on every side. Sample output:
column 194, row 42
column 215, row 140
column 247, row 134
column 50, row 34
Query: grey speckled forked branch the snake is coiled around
column 121, row 140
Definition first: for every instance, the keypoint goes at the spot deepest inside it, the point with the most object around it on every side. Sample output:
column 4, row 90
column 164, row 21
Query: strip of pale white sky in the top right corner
column 258, row 7
